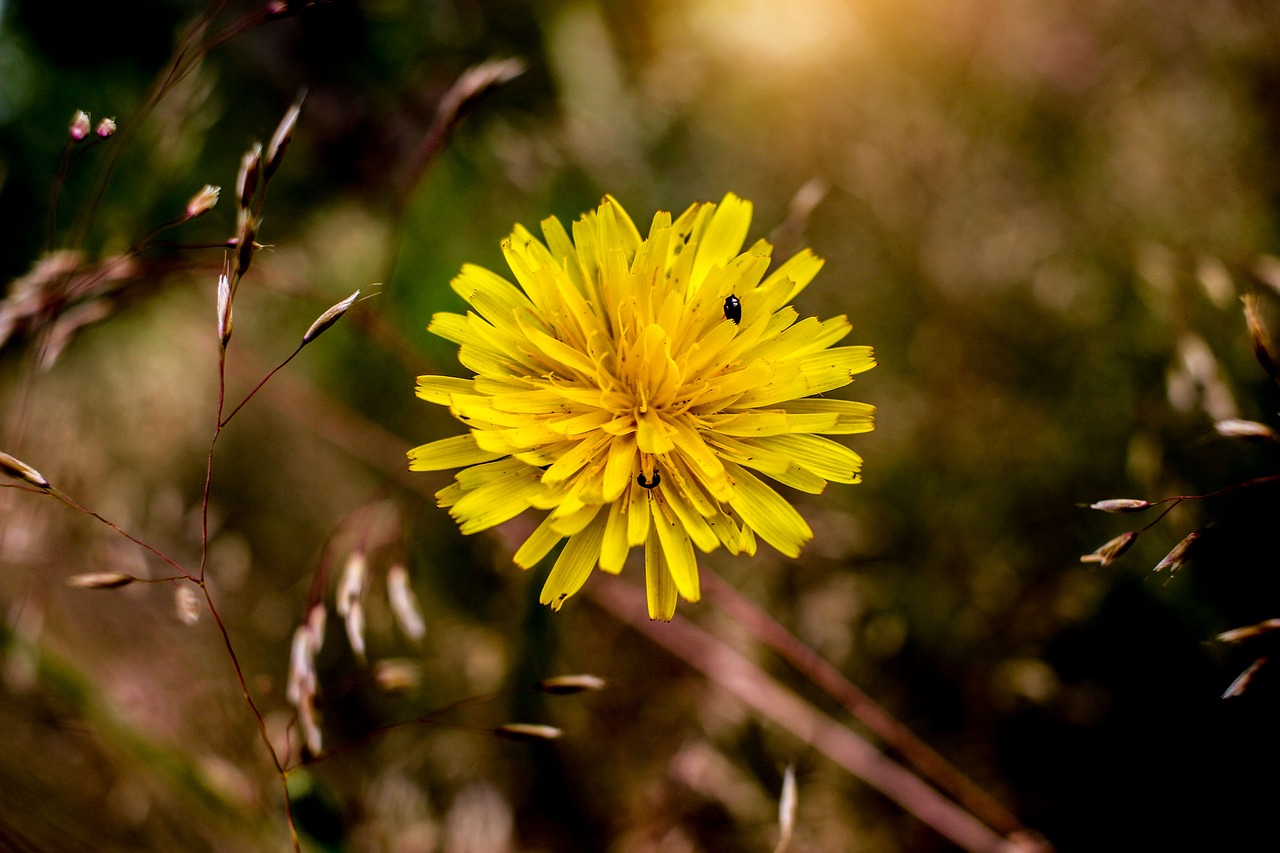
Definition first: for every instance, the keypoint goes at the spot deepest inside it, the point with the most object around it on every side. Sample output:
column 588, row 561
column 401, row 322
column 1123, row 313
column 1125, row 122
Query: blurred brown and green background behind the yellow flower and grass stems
column 1041, row 216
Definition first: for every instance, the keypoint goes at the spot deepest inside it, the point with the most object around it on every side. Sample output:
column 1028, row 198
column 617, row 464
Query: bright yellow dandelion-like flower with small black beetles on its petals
column 632, row 386
